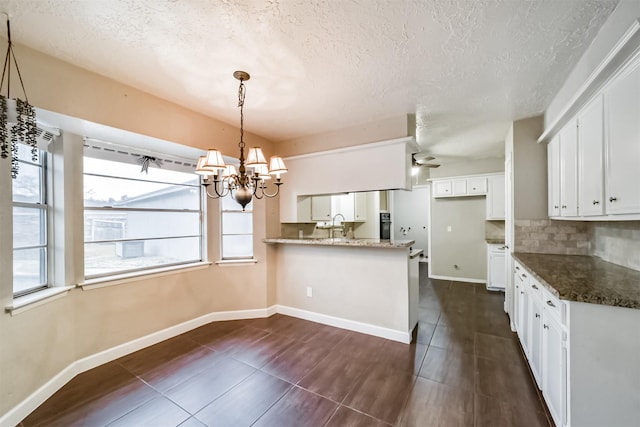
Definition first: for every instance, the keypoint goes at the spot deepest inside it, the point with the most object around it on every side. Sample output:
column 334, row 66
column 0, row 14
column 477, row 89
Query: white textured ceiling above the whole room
column 465, row 68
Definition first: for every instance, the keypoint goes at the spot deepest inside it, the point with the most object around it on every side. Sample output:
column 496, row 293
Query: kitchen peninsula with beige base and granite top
column 365, row 285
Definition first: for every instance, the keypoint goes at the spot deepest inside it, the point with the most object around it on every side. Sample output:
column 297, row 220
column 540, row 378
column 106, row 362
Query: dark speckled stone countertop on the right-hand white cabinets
column 584, row 278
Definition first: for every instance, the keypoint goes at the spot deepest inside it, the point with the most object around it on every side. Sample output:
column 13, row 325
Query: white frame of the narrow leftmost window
column 42, row 206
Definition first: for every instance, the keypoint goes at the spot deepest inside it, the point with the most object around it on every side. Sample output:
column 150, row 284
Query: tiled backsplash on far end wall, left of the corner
column 552, row 237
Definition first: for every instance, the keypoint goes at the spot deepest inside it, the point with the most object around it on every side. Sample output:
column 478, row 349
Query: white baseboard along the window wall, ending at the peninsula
column 24, row 408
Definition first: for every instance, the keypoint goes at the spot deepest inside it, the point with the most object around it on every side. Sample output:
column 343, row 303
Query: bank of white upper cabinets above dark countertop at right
column 594, row 160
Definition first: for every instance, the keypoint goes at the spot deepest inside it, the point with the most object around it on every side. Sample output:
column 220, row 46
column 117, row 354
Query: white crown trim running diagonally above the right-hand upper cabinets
column 615, row 60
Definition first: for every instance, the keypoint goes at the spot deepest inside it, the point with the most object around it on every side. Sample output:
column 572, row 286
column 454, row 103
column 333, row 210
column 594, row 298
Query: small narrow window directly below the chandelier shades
column 237, row 229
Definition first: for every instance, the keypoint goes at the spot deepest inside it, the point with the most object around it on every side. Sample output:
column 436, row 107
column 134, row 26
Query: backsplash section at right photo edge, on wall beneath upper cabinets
column 617, row 242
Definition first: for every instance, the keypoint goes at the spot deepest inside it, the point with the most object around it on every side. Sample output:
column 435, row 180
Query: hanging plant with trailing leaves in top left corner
column 17, row 117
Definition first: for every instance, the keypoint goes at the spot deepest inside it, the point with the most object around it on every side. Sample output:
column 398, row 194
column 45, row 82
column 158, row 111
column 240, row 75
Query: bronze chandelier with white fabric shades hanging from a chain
column 250, row 180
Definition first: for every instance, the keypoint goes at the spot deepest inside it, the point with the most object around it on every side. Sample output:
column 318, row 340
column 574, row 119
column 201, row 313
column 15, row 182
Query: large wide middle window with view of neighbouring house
column 134, row 221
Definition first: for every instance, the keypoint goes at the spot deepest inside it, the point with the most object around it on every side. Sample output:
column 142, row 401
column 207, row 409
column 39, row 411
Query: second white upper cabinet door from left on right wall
column 569, row 169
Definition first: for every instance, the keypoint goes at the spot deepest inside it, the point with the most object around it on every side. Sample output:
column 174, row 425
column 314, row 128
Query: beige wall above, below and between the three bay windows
column 39, row 343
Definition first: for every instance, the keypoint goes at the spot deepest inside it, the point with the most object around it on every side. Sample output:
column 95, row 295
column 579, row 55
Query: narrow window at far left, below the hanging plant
column 29, row 223
